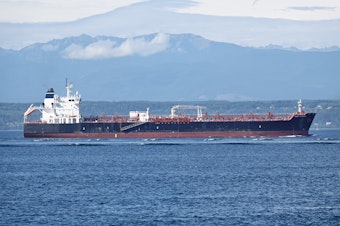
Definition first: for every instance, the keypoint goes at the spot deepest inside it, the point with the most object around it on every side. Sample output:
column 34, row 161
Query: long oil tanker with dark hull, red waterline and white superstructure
column 61, row 118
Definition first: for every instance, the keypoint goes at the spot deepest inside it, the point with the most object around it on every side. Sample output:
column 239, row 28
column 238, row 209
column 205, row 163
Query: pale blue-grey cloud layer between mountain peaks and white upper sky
column 154, row 16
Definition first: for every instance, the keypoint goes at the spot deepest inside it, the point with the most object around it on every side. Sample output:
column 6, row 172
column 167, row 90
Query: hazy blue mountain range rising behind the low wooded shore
column 167, row 67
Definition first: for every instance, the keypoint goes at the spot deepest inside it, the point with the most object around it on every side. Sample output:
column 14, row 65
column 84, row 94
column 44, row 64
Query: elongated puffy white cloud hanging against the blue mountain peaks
column 108, row 49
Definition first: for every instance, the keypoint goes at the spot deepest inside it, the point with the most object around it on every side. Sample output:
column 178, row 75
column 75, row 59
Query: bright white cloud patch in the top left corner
column 28, row 11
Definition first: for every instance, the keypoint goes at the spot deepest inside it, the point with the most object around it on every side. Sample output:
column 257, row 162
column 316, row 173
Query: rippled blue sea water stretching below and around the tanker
column 245, row 181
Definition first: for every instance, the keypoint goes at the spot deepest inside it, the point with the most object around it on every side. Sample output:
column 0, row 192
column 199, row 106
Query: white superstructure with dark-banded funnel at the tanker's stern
column 58, row 110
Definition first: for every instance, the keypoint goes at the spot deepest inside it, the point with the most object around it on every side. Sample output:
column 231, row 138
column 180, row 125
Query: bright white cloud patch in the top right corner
column 287, row 9
